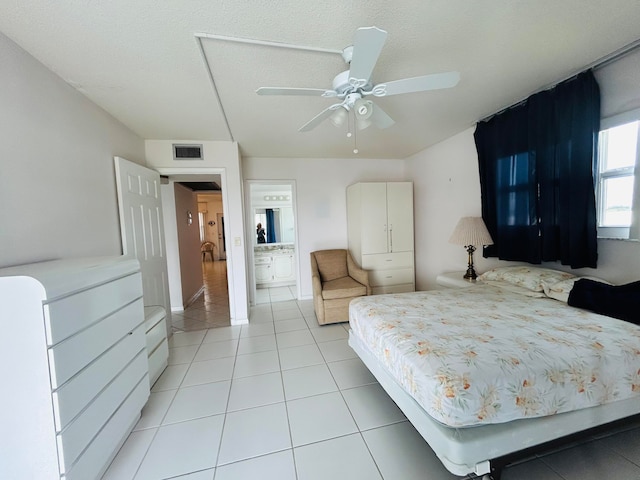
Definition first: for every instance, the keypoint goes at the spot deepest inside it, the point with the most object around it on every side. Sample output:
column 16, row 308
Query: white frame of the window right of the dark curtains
column 619, row 232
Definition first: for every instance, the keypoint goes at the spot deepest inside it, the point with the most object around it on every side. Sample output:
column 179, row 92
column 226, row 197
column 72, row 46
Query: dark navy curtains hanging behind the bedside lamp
column 537, row 163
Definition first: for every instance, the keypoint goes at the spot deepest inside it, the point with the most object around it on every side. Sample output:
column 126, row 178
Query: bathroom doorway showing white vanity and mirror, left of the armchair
column 273, row 240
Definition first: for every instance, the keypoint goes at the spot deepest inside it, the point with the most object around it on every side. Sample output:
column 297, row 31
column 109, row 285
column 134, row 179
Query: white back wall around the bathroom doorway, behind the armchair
column 321, row 199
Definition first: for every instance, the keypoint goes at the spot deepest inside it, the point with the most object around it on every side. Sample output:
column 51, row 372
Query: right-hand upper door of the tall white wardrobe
column 400, row 216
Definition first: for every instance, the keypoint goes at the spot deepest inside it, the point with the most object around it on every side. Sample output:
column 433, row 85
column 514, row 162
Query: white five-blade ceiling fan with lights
column 352, row 86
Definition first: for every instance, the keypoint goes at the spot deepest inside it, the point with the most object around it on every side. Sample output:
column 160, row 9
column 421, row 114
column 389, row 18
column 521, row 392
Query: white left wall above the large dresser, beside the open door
column 57, row 181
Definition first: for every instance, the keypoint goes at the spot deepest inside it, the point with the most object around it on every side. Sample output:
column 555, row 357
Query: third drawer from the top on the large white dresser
column 75, row 395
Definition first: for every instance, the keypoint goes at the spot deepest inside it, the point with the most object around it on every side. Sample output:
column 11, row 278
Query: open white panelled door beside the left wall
column 142, row 229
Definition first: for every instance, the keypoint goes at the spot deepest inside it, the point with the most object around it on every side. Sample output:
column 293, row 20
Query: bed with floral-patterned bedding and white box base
column 499, row 367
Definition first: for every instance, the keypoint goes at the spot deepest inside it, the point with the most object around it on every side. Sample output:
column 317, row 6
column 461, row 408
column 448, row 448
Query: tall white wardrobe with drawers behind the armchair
column 380, row 230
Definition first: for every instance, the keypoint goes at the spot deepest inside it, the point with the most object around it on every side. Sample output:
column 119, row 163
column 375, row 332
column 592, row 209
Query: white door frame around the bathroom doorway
column 250, row 233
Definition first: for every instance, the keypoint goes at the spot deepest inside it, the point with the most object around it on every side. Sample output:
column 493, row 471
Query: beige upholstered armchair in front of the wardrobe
column 336, row 280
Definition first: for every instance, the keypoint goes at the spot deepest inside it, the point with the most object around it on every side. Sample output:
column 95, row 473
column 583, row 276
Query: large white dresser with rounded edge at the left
column 73, row 365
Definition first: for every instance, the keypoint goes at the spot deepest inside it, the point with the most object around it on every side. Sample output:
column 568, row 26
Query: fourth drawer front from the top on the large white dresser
column 75, row 438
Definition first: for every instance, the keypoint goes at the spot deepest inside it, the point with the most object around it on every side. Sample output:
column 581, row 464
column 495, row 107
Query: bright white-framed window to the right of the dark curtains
column 616, row 189
